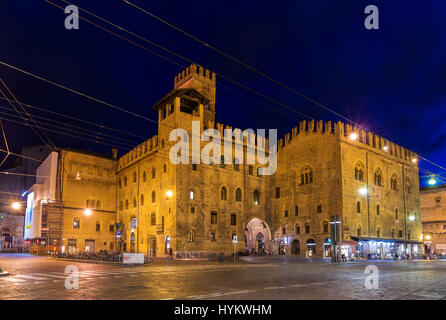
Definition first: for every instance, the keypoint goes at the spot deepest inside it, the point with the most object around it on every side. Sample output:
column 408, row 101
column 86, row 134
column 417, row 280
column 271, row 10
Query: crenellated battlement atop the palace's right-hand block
column 345, row 131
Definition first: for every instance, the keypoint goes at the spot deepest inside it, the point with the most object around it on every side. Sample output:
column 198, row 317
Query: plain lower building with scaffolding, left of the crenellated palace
column 72, row 206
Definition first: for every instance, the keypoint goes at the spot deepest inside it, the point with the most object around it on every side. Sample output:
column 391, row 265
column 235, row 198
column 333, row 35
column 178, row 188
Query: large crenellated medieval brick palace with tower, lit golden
column 323, row 169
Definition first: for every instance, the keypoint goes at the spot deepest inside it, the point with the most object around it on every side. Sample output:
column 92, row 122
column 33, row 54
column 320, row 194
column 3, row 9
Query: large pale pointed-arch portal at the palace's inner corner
column 257, row 236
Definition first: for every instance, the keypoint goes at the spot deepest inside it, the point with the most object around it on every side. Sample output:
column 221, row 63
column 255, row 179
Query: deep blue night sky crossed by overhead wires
column 389, row 80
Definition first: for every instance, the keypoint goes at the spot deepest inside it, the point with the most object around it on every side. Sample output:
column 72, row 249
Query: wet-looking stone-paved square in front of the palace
column 253, row 278
